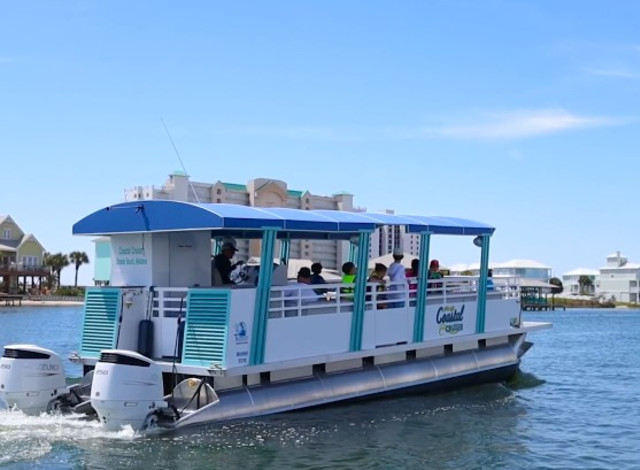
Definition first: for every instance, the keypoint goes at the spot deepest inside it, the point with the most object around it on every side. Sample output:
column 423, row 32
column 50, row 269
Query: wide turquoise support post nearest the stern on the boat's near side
column 261, row 309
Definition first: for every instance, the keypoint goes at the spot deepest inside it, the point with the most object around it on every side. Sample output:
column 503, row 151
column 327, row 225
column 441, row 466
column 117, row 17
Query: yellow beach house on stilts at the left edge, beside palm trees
column 21, row 256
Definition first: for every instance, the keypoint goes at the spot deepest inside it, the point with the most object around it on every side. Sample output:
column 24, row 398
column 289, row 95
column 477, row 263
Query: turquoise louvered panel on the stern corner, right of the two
column 206, row 327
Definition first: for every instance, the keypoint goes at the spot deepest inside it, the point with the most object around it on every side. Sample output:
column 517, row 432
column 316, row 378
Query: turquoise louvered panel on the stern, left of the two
column 102, row 308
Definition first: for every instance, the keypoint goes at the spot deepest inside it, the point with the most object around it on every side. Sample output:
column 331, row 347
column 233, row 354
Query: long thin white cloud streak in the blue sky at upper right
column 520, row 124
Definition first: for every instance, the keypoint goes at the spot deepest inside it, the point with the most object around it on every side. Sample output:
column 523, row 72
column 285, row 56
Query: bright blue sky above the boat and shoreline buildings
column 521, row 114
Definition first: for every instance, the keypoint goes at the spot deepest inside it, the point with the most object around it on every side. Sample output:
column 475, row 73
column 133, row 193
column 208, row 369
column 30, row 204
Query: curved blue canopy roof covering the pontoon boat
column 248, row 222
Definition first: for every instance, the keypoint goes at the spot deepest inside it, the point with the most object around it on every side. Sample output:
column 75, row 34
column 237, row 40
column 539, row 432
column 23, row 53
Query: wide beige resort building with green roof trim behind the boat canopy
column 260, row 192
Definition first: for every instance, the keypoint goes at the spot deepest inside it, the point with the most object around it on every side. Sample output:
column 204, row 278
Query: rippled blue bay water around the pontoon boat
column 572, row 406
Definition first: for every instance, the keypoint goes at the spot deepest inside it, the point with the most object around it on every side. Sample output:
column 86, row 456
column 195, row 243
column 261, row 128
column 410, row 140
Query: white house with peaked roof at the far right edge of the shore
column 619, row 279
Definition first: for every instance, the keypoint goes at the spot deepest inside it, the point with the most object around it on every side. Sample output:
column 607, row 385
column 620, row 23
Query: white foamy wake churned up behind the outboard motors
column 28, row 438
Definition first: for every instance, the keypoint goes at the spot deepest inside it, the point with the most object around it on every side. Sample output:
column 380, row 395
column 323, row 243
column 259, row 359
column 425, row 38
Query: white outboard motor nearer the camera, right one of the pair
column 126, row 388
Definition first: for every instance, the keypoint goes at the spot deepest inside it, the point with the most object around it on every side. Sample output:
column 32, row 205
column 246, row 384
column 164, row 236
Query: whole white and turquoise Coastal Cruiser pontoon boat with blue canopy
column 163, row 346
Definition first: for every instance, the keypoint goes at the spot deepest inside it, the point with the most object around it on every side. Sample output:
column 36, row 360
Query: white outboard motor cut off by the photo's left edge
column 30, row 377
